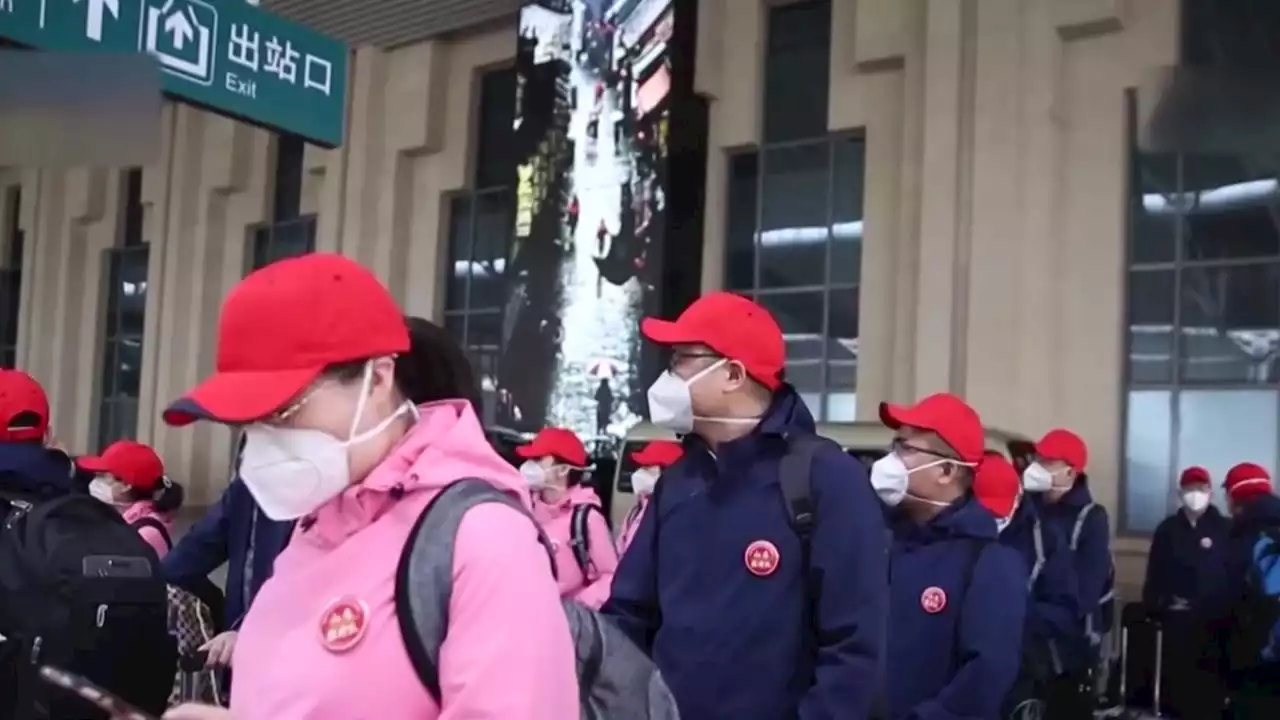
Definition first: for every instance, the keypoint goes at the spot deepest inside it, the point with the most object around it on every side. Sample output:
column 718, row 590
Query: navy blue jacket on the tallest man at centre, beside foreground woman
column 733, row 645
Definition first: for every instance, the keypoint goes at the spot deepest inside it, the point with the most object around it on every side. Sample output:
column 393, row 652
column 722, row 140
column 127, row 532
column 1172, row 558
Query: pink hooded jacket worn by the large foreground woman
column 508, row 655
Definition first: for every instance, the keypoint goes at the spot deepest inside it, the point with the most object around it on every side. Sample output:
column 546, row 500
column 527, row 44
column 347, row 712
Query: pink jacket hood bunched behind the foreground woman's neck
column 447, row 444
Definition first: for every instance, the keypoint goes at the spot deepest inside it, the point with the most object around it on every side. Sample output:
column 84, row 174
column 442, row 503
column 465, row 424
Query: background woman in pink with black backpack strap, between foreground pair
column 554, row 471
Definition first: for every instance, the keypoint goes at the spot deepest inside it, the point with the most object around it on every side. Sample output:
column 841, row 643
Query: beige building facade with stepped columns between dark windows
column 994, row 249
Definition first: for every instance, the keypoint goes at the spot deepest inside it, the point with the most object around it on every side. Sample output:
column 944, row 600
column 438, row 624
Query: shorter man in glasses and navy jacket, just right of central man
column 959, row 596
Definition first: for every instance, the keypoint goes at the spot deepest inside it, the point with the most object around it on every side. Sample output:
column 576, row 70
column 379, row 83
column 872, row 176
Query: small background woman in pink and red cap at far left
column 131, row 477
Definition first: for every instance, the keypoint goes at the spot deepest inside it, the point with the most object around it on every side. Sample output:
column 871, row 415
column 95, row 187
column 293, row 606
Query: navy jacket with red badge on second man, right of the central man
column 959, row 662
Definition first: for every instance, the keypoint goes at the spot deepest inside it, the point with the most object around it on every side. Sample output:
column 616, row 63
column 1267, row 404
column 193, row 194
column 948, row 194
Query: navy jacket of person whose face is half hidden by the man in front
column 1054, row 614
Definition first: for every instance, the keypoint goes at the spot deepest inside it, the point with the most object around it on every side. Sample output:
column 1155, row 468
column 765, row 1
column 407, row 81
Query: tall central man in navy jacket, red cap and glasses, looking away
column 714, row 585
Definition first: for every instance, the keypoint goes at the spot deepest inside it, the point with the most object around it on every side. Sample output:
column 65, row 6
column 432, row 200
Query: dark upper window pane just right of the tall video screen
column 797, row 71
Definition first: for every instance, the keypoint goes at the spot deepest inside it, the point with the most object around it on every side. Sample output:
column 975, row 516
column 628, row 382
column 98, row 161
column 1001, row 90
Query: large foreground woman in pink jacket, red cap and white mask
column 318, row 366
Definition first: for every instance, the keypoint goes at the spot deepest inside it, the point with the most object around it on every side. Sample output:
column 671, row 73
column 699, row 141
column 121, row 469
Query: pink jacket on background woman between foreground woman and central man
column 593, row 589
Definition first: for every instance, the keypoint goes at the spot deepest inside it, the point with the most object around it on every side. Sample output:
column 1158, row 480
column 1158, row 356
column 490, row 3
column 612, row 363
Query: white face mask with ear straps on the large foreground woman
column 292, row 472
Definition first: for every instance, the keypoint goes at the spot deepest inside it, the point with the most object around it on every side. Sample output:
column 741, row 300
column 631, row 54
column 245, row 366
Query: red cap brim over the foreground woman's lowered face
column 235, row 399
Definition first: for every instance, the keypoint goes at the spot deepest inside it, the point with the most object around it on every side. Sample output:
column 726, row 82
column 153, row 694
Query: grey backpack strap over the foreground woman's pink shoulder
column 424, row 577
